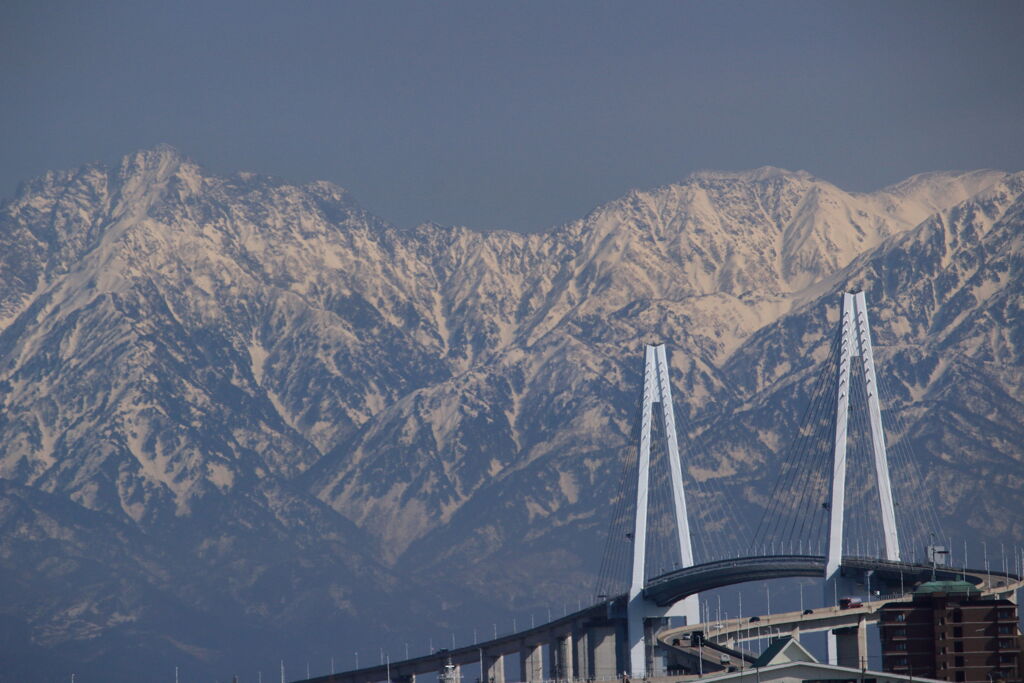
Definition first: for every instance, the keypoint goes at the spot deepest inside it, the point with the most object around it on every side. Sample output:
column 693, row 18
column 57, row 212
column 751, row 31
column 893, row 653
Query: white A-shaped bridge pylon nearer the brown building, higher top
column 857, row 343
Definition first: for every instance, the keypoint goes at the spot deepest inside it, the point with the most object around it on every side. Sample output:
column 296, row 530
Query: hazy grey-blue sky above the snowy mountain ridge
column 519, row 115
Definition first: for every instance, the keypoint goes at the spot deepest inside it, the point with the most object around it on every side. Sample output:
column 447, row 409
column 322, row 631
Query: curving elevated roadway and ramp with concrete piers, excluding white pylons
column 592, row 644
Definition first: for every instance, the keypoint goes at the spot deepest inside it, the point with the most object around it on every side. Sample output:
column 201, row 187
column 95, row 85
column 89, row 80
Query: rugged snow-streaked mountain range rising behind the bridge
column 240, row 414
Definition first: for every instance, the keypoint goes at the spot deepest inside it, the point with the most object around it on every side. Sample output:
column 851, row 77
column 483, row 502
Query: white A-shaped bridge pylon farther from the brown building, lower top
column 657, row 391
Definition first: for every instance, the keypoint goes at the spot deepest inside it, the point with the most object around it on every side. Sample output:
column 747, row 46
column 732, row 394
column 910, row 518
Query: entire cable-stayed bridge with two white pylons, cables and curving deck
column 845, row 506
